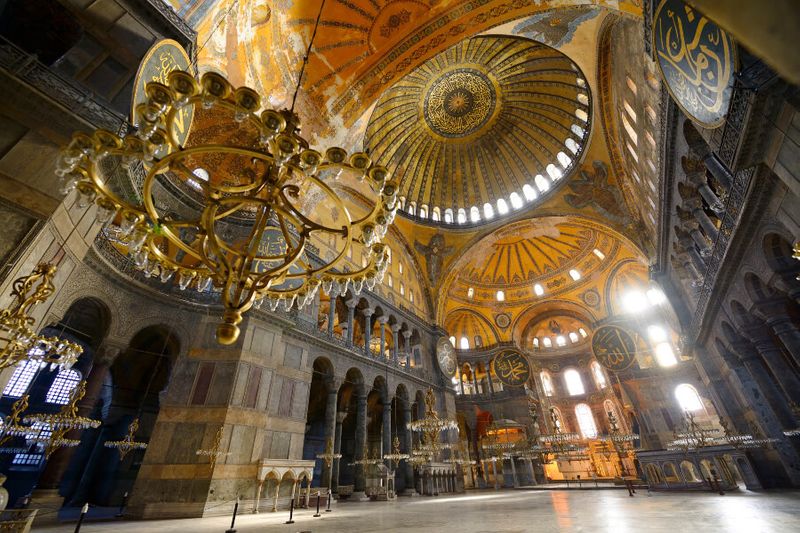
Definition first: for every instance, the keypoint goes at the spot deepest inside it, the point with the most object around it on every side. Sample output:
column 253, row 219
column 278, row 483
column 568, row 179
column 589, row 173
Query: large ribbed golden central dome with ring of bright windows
column 481, row 130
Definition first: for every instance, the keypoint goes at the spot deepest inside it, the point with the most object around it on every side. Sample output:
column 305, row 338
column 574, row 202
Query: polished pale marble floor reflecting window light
column 514, row 511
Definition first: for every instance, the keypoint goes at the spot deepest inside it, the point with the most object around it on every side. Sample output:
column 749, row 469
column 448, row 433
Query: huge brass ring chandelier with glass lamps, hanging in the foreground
column 252, row 200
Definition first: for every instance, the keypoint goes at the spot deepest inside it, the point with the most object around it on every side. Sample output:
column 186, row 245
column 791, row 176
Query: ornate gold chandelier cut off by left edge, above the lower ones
column 18, row 340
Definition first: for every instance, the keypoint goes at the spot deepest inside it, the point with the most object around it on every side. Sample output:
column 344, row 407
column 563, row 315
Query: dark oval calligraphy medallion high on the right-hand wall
column 697, row 60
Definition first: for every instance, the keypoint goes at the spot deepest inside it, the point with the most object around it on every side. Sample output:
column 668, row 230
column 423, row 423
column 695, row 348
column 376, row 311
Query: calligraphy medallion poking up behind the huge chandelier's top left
column 162, row 58
